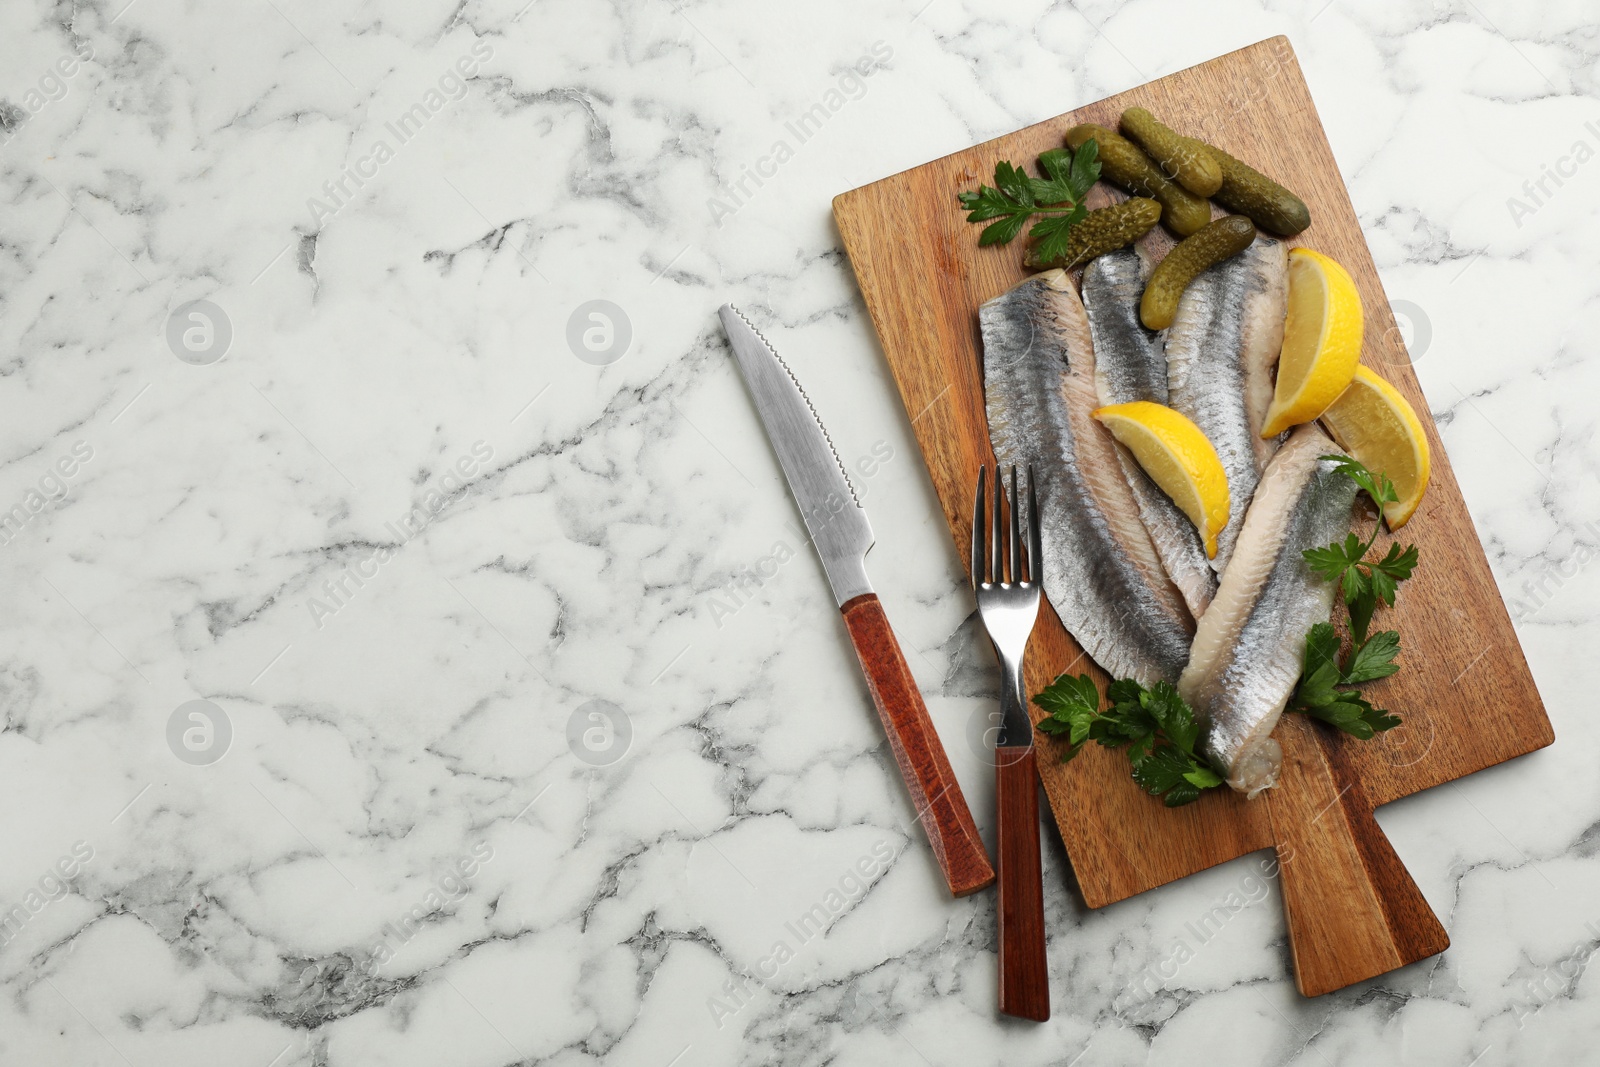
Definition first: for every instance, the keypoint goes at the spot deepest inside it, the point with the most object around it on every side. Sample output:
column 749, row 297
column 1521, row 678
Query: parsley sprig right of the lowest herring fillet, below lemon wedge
column 1364, row 585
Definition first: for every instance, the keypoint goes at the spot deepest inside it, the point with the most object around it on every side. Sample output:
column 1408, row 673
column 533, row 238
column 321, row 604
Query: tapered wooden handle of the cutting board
column 1353, row 909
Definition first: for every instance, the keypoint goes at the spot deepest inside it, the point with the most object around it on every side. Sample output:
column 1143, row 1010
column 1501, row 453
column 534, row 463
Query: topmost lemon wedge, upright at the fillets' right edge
column 1322, row 342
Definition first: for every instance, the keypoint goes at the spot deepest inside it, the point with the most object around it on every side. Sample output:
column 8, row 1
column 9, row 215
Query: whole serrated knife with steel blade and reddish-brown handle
column 841, row 533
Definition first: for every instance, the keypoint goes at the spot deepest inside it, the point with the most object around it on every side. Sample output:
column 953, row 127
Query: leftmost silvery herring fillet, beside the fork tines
column 1102, row 572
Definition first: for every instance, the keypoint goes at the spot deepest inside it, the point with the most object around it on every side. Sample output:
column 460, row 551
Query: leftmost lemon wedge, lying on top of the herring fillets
column 1178, row 458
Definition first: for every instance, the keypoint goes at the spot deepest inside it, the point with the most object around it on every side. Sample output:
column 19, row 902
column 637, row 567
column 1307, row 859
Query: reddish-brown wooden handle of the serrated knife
column 924, row 765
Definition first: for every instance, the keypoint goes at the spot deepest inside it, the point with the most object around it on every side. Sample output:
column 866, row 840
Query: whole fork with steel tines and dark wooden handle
column 1007, row 585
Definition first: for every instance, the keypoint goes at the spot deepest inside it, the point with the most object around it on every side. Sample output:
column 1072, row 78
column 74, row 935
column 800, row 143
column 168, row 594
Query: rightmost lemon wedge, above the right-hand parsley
column 1378, row 426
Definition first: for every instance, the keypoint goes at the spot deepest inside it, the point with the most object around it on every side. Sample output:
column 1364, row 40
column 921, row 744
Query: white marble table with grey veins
column 404, row 540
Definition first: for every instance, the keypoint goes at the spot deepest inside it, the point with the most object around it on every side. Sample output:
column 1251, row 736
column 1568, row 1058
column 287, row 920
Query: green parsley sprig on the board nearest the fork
column 1156, row 725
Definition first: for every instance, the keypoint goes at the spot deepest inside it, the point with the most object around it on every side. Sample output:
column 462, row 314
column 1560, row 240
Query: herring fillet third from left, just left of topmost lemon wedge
column 1220, row 356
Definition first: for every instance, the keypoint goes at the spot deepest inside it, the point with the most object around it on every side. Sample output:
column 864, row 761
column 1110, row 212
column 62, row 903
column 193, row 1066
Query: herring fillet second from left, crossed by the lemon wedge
column 1130, row 366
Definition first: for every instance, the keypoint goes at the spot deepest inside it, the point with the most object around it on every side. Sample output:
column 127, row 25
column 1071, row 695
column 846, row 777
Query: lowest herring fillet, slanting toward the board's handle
column 1250, row 645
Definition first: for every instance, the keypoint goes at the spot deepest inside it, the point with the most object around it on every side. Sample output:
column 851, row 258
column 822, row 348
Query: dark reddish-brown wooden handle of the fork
column 1025, row 977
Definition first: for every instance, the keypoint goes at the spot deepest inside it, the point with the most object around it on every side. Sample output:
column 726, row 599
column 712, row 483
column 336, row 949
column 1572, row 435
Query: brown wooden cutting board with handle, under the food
column 1465, row 690
